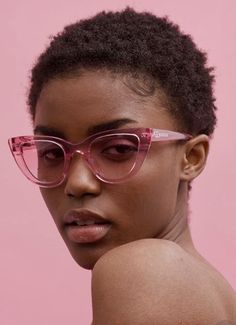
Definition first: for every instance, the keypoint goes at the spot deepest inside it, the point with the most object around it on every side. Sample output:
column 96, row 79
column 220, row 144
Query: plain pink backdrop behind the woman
column 40, row 283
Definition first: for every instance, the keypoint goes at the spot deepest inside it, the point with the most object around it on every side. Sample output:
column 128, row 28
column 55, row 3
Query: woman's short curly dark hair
column 135, row 44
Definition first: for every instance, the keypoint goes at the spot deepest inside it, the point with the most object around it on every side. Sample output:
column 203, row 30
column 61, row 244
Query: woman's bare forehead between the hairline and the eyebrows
column 74, row 104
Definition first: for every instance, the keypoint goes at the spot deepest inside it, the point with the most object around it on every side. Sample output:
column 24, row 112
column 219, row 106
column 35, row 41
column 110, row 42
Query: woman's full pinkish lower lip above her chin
column 87, row 234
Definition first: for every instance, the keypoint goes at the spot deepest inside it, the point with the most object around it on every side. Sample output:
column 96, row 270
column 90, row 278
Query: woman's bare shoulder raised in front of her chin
column 154, row 281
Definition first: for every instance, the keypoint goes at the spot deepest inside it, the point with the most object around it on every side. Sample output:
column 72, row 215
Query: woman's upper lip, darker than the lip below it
column 83, row 215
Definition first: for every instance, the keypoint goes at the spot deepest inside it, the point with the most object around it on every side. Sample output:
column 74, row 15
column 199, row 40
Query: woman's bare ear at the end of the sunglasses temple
column 195, row 157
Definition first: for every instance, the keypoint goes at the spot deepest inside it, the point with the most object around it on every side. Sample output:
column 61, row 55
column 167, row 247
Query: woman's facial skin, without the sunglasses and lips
column 143, row 206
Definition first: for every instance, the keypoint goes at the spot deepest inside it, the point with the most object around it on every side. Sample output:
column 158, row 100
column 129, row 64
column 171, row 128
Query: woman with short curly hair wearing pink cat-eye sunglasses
column 123, row 109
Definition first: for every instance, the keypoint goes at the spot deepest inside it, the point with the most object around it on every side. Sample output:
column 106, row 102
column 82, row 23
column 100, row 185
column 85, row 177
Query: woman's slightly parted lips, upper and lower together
column 84, row 226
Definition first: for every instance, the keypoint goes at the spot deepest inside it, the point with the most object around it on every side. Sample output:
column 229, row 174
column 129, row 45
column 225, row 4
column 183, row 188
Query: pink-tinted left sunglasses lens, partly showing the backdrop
column 44, row 160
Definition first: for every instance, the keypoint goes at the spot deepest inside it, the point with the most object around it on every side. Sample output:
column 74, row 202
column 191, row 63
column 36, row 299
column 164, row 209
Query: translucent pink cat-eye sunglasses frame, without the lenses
column 145, row 137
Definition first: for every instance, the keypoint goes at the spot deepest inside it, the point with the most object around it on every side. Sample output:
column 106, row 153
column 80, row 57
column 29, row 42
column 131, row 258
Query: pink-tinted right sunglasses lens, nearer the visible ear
column 113, row 157
